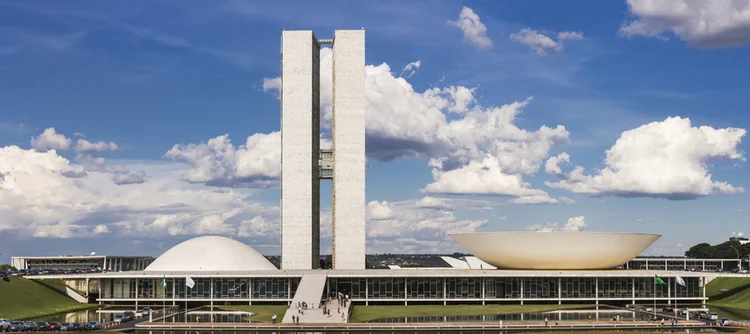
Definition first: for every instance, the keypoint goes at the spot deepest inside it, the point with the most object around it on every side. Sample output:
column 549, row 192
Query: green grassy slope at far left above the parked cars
column 21, row 298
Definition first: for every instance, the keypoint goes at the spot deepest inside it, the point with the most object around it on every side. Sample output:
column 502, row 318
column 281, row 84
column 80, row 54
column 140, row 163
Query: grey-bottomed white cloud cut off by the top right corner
column 716, row 23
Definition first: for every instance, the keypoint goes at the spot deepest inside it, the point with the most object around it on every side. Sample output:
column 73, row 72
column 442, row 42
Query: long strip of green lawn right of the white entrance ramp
column 362, row 313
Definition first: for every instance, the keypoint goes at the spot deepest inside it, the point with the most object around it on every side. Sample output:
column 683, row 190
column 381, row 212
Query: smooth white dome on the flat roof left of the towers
column 211, row 253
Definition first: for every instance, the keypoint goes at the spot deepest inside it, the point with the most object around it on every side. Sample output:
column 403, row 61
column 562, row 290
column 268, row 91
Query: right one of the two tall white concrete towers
column 349, row 149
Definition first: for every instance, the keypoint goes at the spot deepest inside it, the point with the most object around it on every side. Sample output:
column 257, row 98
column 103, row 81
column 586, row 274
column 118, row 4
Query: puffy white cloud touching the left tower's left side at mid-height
column 257, row 164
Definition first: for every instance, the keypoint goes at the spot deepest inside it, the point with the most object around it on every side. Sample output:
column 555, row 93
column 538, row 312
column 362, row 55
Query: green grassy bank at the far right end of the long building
column 729, row 292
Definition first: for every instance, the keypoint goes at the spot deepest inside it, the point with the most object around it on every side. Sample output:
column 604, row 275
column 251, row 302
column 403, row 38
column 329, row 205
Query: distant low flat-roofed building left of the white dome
column 65, row 262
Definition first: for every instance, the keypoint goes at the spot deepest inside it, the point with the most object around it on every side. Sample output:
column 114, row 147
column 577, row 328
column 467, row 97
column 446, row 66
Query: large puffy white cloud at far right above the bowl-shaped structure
column 665, row 159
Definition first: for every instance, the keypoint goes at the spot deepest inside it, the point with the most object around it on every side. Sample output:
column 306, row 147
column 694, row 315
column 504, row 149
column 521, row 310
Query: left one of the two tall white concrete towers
column 300, row 146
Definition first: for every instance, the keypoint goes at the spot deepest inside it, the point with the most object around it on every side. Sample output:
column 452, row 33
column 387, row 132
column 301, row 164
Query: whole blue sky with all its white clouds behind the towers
column 128, row 127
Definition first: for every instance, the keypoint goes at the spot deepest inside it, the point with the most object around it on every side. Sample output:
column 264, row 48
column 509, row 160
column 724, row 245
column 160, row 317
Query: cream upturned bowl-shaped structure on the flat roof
column 555, row 250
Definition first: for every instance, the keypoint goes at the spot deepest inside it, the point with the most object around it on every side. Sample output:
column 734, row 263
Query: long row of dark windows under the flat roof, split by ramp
column 401, row 287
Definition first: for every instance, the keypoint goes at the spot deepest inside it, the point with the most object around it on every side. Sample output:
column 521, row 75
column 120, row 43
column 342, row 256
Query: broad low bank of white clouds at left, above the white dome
column 37, row 200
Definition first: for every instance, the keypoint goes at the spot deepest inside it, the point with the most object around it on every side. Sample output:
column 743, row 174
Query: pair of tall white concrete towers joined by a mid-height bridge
column 304, row 163
